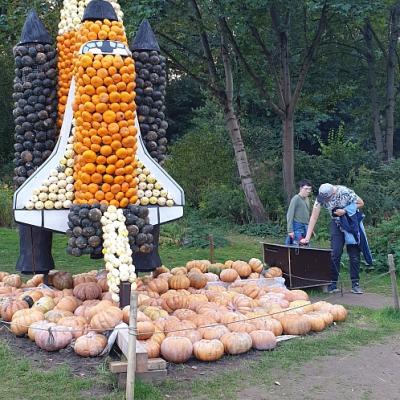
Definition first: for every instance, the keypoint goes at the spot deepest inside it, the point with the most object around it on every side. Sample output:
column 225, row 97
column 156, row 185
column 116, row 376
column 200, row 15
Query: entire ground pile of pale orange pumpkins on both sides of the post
column 179, row 315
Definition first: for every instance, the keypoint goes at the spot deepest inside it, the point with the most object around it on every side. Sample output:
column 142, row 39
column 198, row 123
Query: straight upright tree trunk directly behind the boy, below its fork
column 288, row 155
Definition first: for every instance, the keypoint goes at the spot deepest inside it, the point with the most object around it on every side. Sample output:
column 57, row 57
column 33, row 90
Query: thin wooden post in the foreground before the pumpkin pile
column 130, row 374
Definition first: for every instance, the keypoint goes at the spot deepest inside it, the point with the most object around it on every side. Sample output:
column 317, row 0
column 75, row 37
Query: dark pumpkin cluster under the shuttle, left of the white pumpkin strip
column 85, row 233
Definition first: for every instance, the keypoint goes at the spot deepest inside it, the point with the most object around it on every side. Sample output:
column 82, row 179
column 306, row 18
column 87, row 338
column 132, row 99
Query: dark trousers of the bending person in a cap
column 337, row 244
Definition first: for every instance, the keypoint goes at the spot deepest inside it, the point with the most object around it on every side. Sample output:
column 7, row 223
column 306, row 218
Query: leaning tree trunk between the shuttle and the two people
column 253, row 200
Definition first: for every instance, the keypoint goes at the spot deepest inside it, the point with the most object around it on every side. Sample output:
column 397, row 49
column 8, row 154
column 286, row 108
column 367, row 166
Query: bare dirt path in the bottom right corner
column 369, row 373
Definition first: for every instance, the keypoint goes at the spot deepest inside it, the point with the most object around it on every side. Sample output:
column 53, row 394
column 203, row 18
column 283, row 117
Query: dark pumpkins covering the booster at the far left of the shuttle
column 35, row 107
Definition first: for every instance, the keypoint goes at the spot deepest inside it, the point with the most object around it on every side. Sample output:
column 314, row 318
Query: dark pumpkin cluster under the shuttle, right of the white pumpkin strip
column 140, row 231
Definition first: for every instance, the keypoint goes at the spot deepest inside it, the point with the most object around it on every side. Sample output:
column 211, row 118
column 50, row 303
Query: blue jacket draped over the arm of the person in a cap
column 354, row 232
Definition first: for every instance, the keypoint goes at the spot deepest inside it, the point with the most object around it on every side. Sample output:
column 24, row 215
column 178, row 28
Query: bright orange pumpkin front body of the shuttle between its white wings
column 104, row 110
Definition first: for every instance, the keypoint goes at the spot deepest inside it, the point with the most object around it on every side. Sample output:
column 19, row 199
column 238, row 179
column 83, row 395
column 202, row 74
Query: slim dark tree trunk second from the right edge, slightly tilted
column 367, row 33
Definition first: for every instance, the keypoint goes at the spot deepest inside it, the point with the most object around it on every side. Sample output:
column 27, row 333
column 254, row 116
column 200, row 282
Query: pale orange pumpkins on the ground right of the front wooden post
column 181, row 316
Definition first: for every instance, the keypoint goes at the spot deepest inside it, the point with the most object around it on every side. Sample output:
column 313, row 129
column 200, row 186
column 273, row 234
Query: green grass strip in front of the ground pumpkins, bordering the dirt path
column 21, row 381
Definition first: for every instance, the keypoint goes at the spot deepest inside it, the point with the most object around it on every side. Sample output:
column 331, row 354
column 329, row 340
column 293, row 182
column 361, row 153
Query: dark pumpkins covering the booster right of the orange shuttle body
column 150, row 100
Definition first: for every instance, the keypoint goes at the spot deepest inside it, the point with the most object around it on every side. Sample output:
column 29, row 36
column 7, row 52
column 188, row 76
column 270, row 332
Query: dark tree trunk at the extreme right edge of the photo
column 390, row 90
